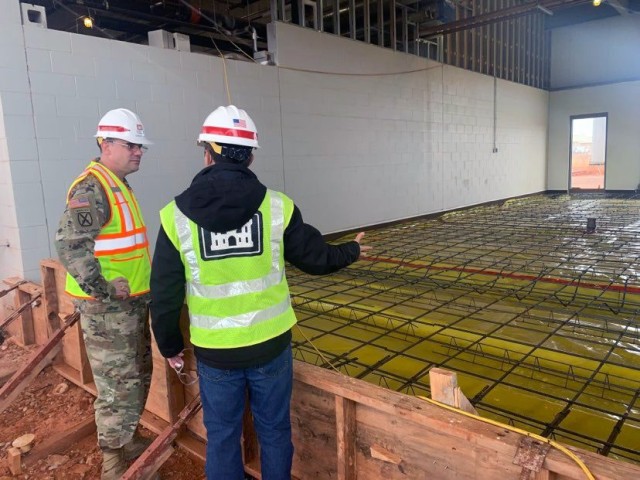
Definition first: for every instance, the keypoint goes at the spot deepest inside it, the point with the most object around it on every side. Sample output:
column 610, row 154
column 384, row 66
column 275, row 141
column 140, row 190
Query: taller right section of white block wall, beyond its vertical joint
column 371, row 135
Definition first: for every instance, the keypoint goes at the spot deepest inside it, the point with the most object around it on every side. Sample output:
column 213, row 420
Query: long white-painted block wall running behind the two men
column 350, row 150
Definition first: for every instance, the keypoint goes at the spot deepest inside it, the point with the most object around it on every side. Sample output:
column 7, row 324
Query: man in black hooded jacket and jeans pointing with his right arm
column 225, row 239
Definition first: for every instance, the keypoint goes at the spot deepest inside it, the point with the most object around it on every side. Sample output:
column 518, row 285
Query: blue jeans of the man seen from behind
column 223, row 399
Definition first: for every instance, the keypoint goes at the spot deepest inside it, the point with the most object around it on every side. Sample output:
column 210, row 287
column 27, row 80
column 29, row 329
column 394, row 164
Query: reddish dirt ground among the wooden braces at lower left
column 47, row 407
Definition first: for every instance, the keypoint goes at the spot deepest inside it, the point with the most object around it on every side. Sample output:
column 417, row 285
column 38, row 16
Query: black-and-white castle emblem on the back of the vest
column 245, row 241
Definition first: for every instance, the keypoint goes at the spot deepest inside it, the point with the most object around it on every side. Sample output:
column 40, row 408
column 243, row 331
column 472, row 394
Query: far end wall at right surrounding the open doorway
column 596, row 69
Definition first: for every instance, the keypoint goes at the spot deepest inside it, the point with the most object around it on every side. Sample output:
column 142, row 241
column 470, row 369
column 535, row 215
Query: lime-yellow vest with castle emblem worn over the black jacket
column 236, row 288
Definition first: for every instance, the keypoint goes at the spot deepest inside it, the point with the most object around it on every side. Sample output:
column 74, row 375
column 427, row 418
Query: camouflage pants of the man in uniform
column 119, row 350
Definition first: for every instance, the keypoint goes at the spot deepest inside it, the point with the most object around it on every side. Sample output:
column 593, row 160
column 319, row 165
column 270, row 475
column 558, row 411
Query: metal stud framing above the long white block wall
column 516, row 49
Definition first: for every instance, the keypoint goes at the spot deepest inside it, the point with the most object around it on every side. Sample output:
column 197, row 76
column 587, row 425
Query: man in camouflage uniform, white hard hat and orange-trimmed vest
column 113, row 304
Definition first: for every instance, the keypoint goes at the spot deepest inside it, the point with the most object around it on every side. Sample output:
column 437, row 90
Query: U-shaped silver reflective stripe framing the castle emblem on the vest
column 196, row 289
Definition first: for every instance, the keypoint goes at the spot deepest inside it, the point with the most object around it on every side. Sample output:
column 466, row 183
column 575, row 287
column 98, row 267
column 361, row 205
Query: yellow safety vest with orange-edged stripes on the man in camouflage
column 122, row 246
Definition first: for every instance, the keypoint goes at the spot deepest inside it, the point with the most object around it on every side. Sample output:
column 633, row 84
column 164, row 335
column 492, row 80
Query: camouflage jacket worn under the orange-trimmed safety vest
column 75, row 241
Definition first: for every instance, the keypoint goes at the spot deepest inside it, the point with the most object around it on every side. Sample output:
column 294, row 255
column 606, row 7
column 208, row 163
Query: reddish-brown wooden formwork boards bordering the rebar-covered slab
column 343, row 428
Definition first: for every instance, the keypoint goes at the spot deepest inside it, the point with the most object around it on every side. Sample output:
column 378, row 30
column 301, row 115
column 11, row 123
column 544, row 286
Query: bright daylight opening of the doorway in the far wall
column 588, row 152
